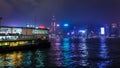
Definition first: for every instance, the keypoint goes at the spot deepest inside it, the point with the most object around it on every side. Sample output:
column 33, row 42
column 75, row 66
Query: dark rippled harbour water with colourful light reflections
column 65, row 53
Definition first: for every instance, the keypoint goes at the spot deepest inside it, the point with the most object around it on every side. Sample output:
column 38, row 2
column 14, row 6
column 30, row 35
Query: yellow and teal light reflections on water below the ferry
column 22, row 59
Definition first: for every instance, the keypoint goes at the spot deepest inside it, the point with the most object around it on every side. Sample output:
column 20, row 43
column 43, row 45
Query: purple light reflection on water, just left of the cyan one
column 56, row 53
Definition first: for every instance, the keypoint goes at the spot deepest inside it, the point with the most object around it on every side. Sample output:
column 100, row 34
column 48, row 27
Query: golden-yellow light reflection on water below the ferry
column 10, row 59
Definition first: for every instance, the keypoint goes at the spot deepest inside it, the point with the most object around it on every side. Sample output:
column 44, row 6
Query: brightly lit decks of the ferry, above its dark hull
column 14, row 36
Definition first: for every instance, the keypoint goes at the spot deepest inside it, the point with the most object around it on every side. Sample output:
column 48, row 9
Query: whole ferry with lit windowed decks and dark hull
column 23, row 37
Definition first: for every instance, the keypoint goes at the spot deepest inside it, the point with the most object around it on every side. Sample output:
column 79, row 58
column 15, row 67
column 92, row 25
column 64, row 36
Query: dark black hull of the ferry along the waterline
column 39, row 44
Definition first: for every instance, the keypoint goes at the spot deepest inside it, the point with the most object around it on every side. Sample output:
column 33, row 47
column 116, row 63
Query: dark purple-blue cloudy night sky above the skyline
column 20, row 12
